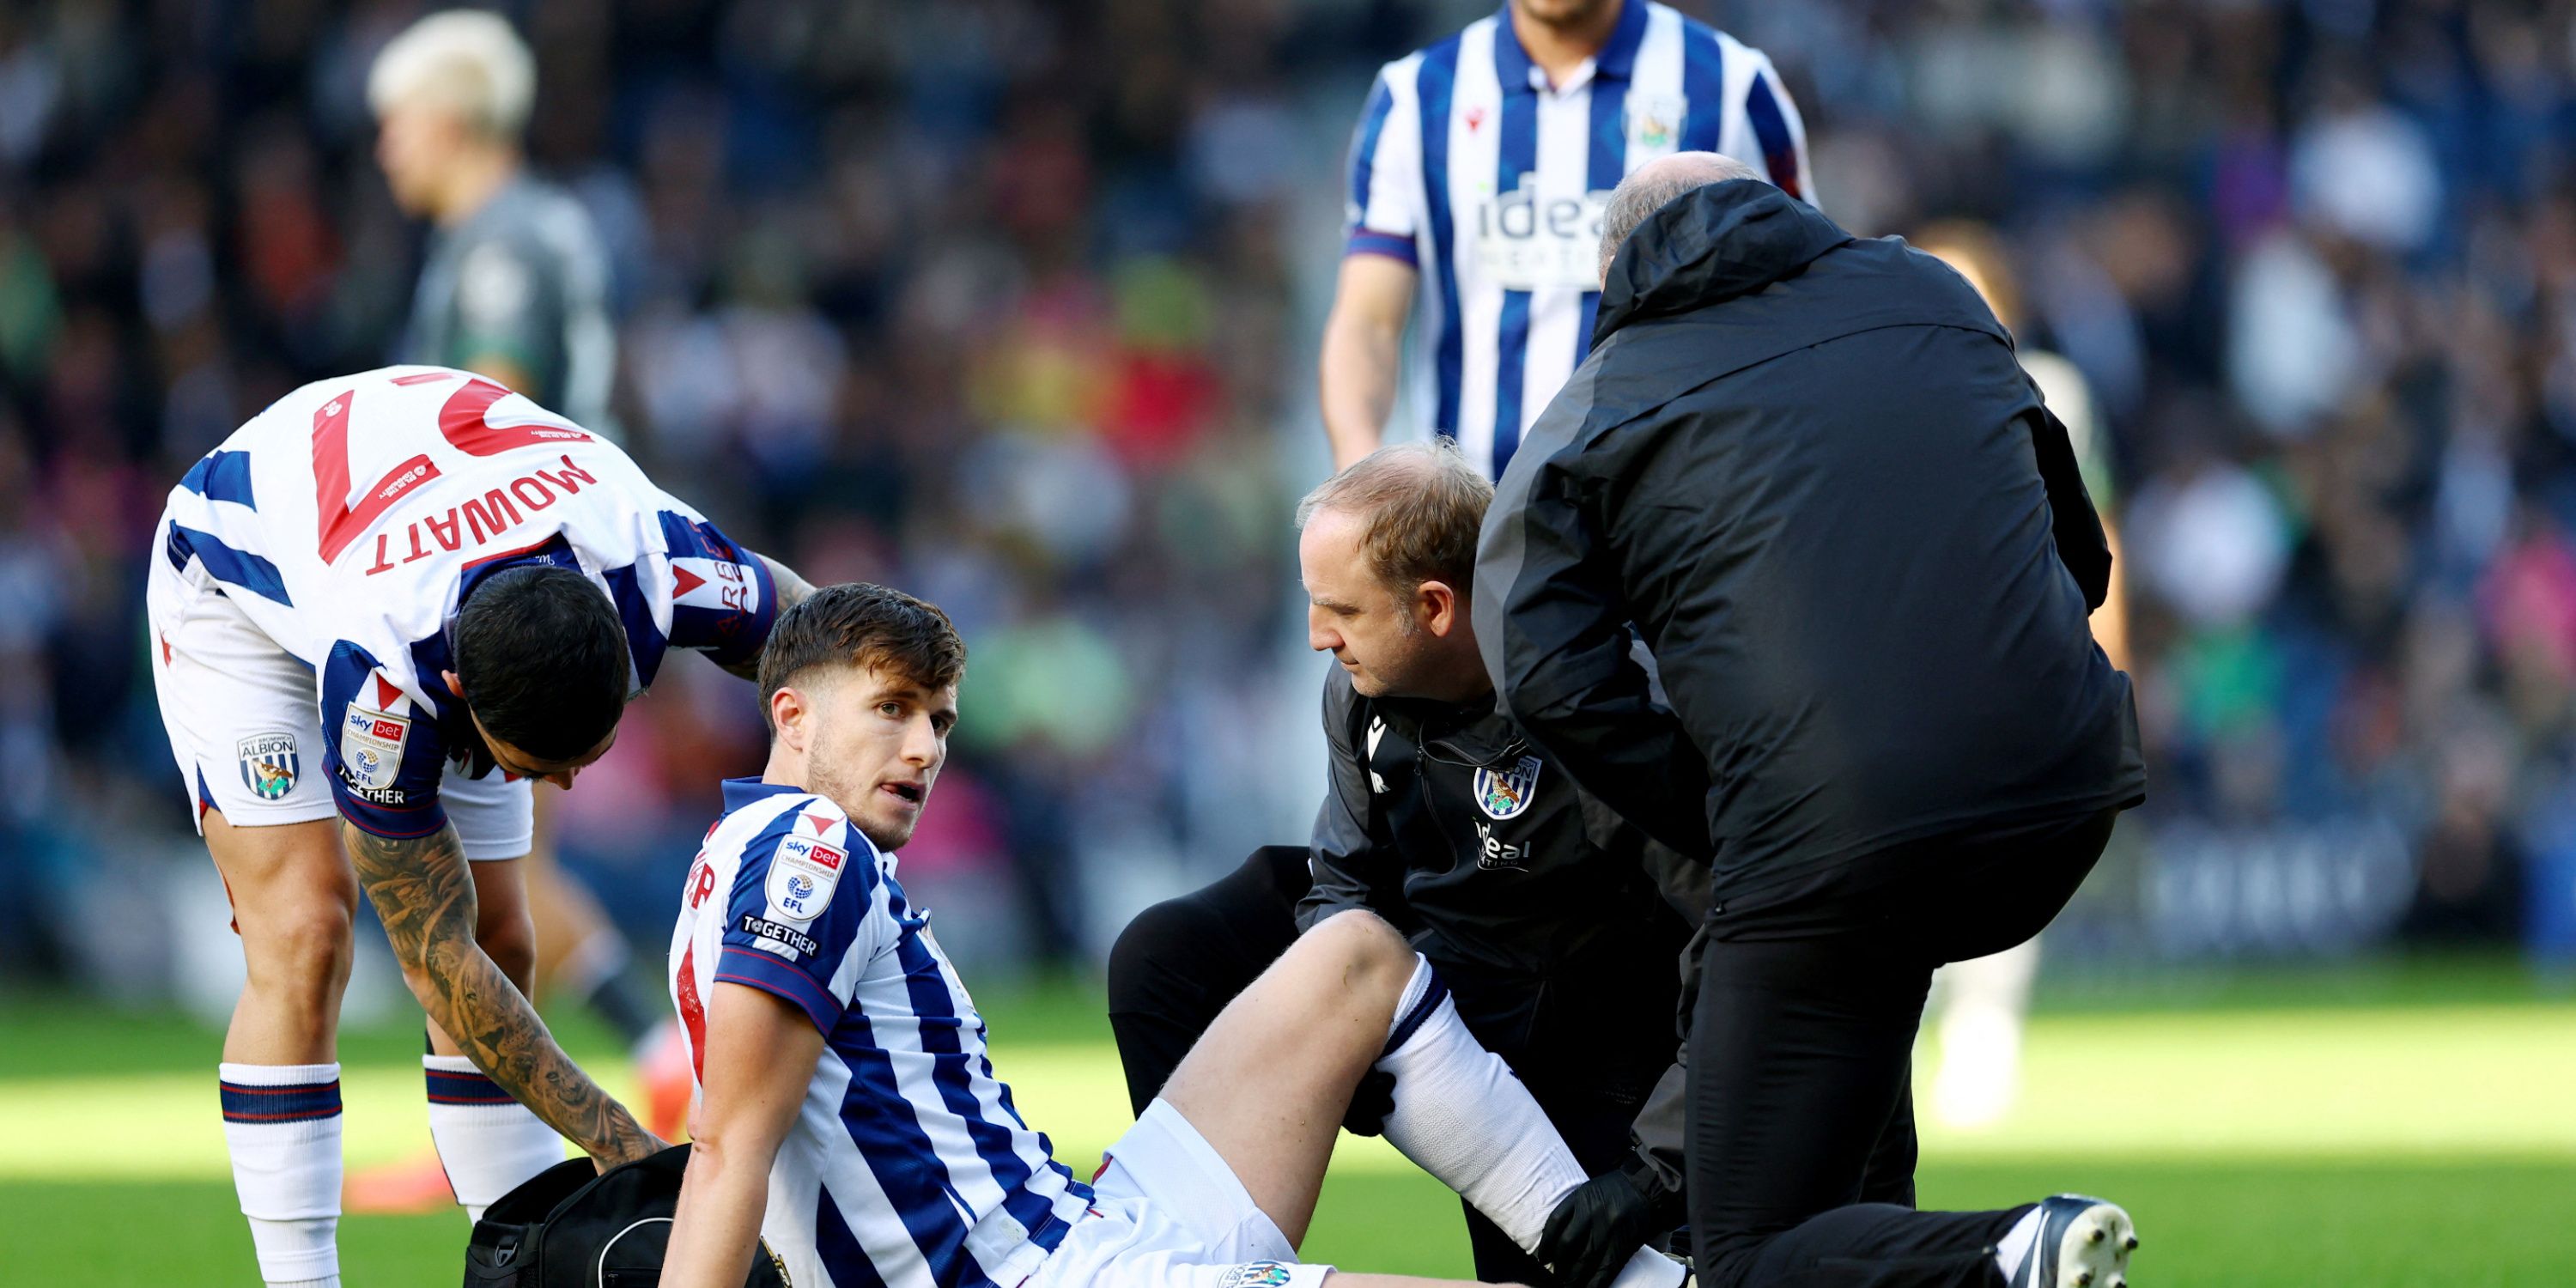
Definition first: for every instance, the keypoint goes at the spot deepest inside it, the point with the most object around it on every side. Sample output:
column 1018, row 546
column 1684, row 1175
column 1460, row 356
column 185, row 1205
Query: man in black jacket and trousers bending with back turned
column 1815, row 480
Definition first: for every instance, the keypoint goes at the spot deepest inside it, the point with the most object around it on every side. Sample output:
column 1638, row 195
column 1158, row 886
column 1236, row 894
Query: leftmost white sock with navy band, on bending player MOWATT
column 282, row 1124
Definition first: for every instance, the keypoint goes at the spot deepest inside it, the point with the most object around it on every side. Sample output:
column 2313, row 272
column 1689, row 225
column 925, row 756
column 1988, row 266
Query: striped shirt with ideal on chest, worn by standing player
column 1493, row 184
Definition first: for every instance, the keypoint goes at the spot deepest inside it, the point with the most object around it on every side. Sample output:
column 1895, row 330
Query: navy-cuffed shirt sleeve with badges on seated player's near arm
column 808, row 900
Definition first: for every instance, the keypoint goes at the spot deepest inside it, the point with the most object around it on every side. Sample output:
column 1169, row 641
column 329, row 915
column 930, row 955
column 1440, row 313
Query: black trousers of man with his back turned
column 1799, row 1055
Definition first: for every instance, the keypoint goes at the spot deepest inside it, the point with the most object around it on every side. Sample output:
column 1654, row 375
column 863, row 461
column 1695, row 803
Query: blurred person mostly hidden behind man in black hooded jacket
column 1987, row 1001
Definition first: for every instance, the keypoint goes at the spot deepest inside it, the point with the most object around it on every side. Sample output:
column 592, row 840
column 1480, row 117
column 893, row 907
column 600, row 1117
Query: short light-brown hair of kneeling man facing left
column 1423, row 504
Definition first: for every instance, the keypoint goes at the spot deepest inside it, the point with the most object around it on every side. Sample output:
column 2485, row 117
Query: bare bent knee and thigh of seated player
column 1271, row 1081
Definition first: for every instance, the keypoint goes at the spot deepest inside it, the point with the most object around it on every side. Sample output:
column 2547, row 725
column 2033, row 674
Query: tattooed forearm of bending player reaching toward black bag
column 426, row 900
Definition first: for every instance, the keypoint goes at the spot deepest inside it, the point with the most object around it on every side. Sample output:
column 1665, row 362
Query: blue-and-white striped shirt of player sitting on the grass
column 908, row 1163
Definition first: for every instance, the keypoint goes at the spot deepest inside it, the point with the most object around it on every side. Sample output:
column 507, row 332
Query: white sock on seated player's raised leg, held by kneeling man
column 1467, row 1119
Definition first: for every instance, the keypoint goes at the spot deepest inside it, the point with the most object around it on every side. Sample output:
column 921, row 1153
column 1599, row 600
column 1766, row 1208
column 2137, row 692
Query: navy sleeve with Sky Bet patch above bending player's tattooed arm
column 383, row 751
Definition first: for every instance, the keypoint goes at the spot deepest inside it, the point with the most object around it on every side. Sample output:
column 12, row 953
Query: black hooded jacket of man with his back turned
column 1812, row 475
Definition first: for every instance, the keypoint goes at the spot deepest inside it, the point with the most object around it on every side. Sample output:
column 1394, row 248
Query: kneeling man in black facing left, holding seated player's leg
column 1555, row 923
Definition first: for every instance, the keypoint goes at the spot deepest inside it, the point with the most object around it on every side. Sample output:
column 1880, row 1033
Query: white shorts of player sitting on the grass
column 1171, row 1215
